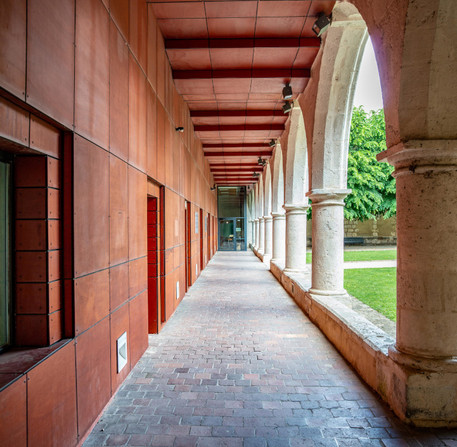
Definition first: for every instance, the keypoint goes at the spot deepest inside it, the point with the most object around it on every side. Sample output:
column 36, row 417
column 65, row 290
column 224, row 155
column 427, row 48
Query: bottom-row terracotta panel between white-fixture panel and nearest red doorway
column 138, row 317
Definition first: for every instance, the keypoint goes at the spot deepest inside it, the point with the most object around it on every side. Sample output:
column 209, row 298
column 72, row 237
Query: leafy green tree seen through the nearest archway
column 373, row 187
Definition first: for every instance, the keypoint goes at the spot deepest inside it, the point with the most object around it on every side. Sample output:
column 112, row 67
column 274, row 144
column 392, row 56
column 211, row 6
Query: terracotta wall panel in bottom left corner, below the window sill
column 13, row 407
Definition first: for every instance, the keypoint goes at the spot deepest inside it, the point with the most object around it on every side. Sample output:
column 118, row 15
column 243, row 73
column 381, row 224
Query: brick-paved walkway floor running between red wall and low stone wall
column 240, row 365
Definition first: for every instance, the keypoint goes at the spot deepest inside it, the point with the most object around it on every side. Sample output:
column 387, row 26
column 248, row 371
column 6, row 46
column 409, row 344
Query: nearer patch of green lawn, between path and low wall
column 374, row 287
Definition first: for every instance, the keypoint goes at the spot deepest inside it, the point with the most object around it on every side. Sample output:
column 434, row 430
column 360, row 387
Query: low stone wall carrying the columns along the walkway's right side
column 420, row 392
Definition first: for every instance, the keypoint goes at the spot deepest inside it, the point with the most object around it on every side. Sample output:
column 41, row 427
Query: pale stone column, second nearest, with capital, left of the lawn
column 327, row 274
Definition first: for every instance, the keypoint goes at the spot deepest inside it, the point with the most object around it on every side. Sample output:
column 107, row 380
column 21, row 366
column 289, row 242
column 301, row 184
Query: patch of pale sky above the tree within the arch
column 368, row 88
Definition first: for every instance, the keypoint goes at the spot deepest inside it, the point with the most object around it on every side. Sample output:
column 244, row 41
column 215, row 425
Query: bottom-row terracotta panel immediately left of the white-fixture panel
column 93, row 373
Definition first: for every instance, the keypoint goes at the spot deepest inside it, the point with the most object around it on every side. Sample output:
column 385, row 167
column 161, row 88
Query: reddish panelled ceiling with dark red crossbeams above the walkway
column 230, row 62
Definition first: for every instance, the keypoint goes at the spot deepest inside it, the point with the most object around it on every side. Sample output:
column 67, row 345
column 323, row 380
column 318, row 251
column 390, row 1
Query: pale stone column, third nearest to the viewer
column 295, row 237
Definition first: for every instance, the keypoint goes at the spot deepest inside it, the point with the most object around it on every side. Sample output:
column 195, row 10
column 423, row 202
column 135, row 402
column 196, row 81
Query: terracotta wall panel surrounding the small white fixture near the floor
column 119, row 325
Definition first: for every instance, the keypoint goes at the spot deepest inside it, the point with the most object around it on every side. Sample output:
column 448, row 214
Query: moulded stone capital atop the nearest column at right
column 421, row 156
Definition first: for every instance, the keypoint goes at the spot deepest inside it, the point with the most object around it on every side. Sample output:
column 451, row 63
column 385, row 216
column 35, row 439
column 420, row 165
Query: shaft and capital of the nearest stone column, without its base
column 427, row 249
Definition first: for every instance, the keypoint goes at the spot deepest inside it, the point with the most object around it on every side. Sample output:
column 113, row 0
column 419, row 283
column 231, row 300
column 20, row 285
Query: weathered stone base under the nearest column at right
column 422, row 391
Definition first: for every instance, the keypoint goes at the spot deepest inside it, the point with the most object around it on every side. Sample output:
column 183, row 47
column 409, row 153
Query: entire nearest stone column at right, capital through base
column 425, row 353
